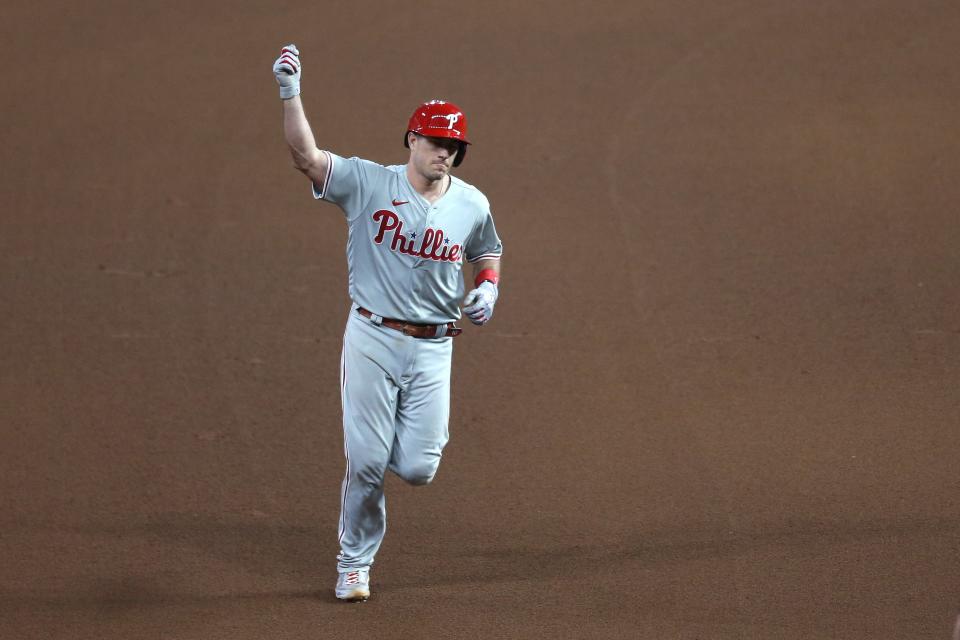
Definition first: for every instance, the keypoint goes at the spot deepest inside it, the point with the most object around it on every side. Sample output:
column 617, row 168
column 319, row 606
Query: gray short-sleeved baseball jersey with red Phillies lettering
column 405, row 255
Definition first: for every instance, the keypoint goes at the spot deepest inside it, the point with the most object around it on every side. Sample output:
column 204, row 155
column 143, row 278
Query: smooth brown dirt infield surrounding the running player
column 718, row 400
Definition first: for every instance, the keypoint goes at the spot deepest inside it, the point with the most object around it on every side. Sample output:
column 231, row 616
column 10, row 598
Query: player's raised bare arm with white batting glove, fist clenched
column 307, row 158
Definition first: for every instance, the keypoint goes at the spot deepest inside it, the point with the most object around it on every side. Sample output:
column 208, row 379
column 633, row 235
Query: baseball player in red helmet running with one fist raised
column 409, row 230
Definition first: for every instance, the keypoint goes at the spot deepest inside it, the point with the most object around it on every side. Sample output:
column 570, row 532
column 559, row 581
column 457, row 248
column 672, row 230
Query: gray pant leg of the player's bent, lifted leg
column 423, row 412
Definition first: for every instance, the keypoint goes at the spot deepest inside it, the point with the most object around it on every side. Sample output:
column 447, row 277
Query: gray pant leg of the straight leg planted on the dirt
column 369, row 394
